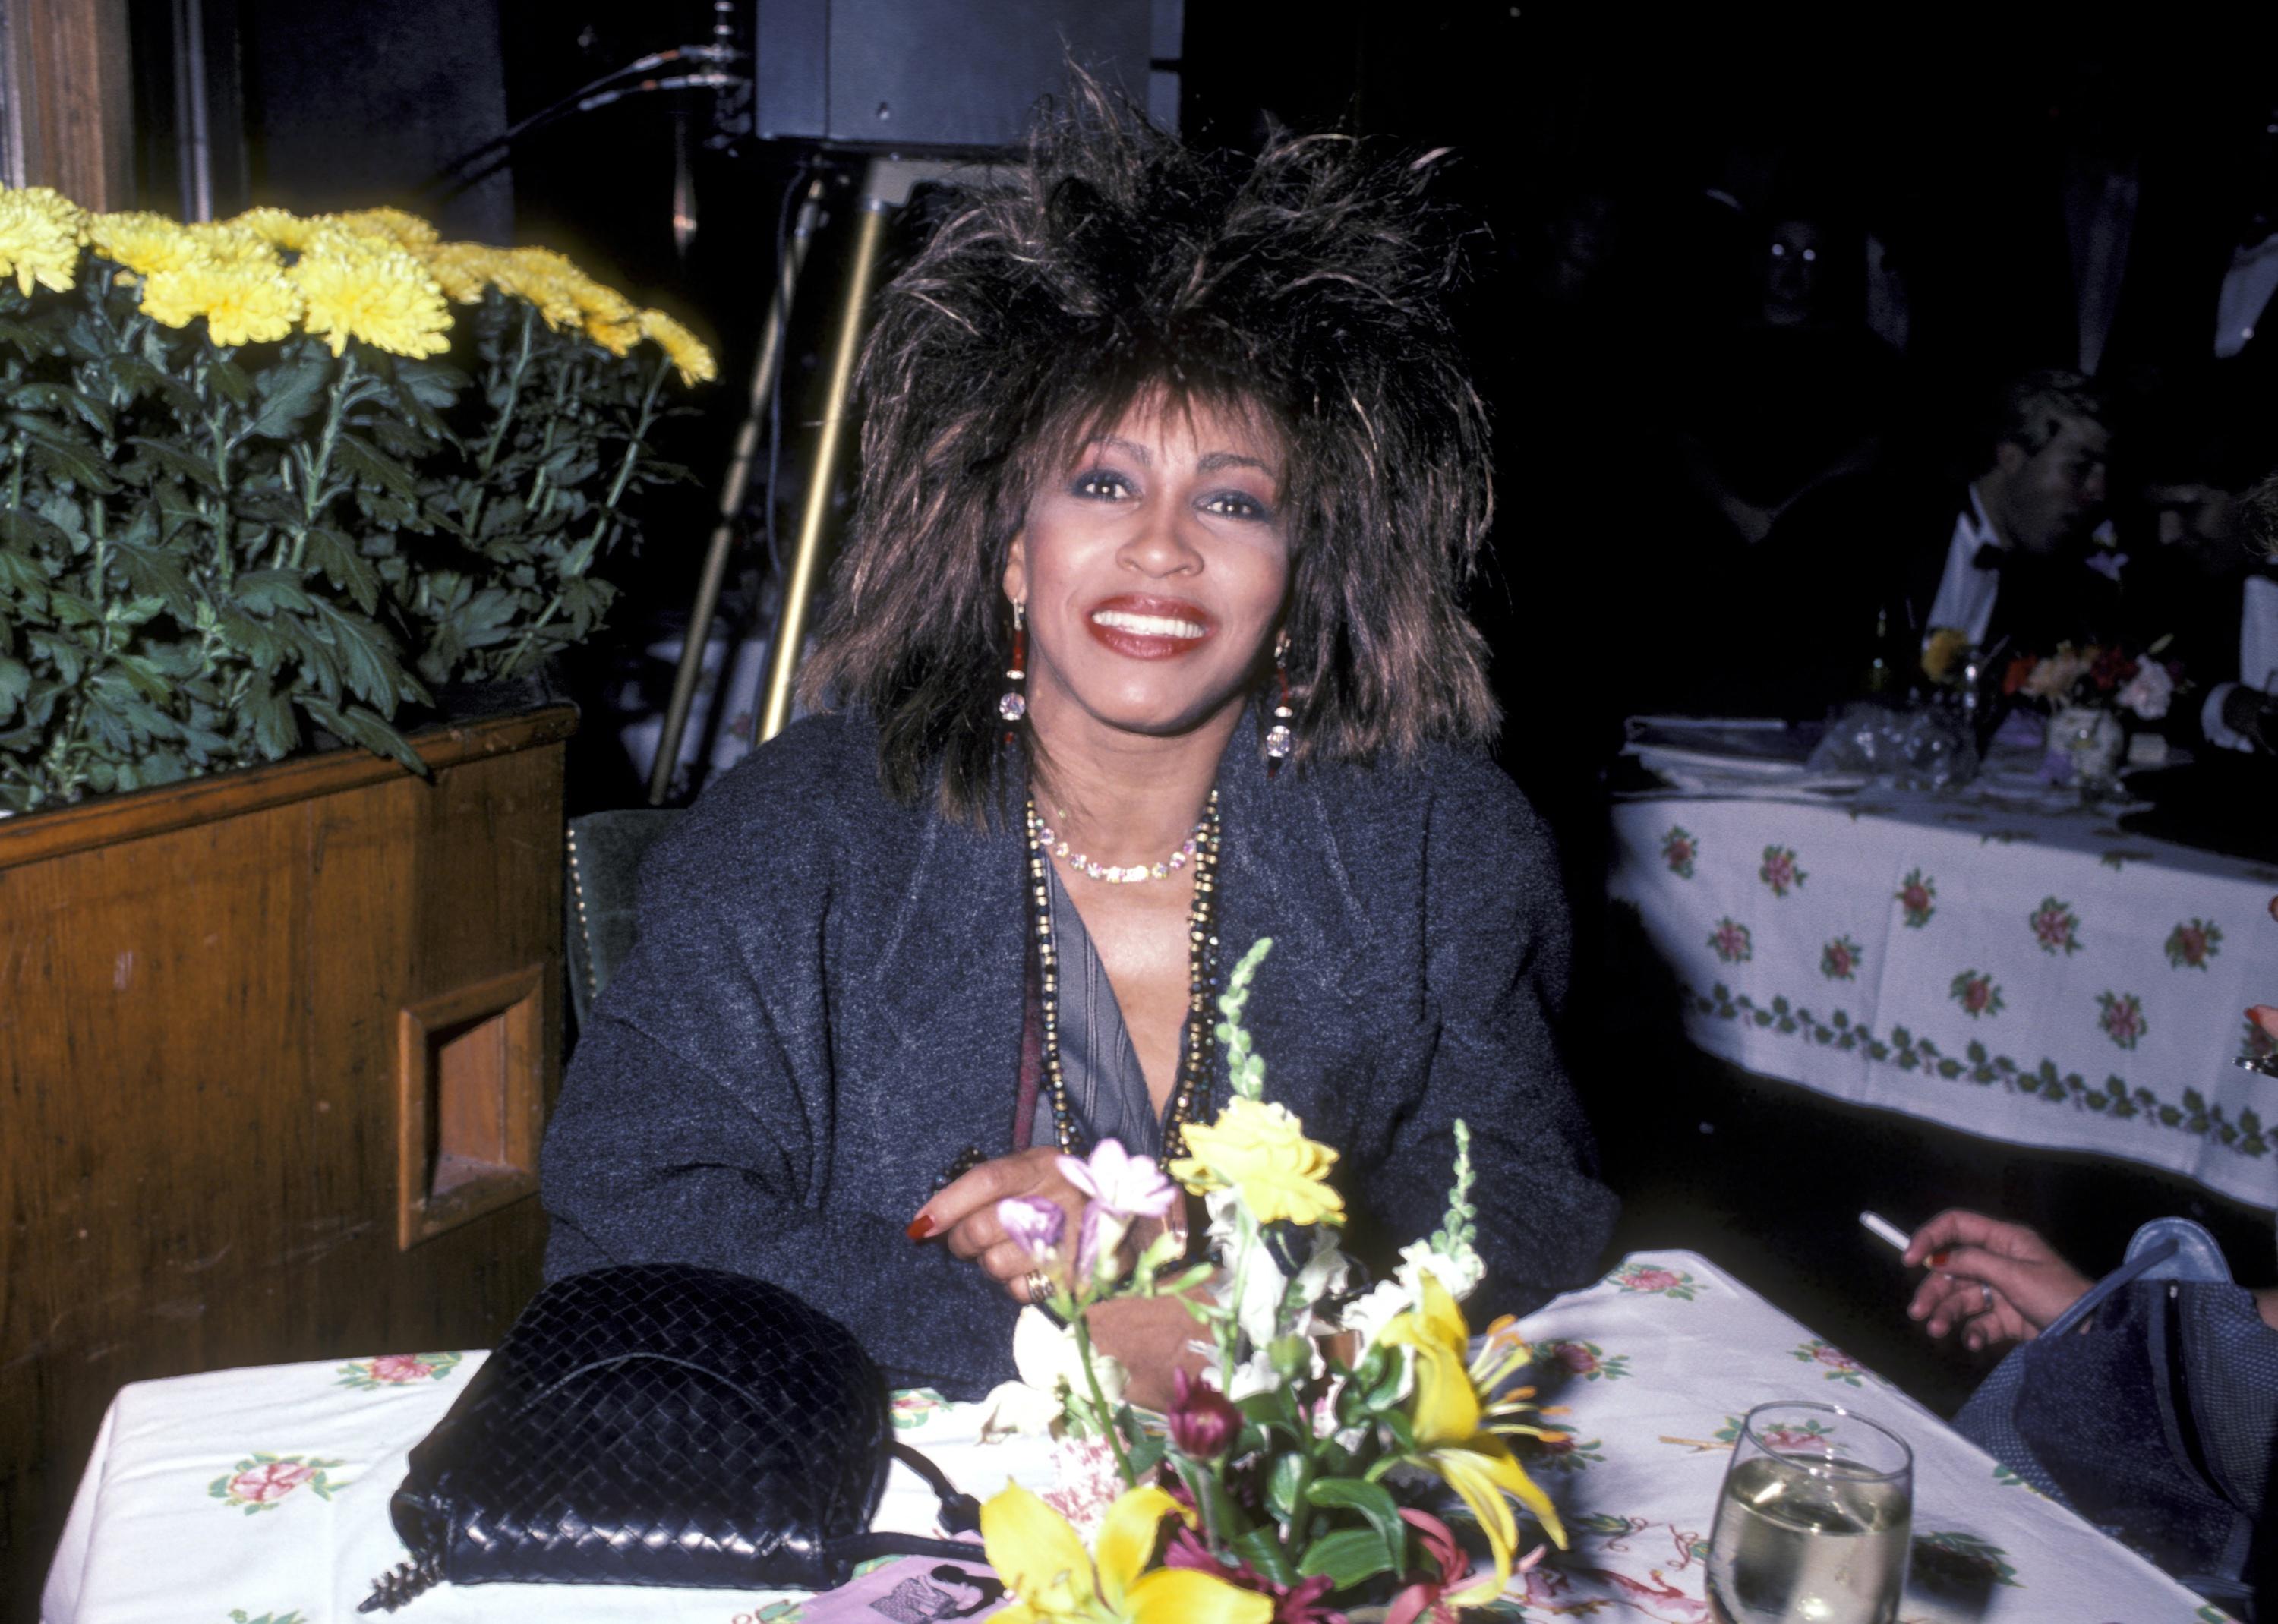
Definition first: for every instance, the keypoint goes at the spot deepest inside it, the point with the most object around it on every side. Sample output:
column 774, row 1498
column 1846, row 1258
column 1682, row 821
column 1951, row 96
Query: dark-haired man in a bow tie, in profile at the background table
column 2019, row 561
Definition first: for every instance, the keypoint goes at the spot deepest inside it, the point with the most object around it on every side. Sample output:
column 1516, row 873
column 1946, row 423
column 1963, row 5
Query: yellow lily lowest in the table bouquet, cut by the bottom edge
column 1044, row 1564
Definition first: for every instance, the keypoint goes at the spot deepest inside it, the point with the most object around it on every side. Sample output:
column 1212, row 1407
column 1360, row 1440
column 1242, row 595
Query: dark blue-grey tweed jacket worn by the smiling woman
column 826, row 1008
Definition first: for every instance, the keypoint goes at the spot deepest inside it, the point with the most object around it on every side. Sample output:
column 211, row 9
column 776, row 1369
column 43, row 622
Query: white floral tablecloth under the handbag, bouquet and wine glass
column 261, row 1498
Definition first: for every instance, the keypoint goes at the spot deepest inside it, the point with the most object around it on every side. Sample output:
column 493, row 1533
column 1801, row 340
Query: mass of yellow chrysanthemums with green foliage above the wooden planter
column 286, row 473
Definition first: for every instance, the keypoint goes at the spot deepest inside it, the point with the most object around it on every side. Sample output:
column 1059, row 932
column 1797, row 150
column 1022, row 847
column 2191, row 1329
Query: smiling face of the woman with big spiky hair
column 1154, row 573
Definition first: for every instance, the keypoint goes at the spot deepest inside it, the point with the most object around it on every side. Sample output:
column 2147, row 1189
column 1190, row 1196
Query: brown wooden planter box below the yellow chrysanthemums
column 274, row 1056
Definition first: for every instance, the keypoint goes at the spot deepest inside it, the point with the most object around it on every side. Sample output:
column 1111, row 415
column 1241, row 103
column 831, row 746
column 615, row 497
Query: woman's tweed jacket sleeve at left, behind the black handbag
column 698, row 1110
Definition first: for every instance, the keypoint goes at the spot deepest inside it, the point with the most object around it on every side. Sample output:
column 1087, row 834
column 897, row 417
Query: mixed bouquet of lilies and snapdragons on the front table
column 1304, row 1468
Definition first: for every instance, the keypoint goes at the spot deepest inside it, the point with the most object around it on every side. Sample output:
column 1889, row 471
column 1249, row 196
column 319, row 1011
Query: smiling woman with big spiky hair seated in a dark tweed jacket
column 1147, row 639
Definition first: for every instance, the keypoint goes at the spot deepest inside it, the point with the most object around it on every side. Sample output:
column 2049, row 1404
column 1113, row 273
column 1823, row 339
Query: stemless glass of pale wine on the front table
column 1814, row 1520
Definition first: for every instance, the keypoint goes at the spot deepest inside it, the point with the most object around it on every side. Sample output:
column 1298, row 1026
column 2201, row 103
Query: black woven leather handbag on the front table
column 659, row 1425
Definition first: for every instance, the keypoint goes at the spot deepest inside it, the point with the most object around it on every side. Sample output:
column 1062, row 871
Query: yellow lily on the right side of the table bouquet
column 1461, row 1438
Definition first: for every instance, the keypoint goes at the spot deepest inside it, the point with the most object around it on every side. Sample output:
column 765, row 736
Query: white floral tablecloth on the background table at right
column 2026, row 976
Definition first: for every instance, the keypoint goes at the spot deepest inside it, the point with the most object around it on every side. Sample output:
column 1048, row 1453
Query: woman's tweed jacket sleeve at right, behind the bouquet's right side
column 1496, row 971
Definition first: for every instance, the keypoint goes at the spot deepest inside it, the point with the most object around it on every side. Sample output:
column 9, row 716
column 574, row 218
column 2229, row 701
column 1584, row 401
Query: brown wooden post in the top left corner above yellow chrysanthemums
column 72, row 99
